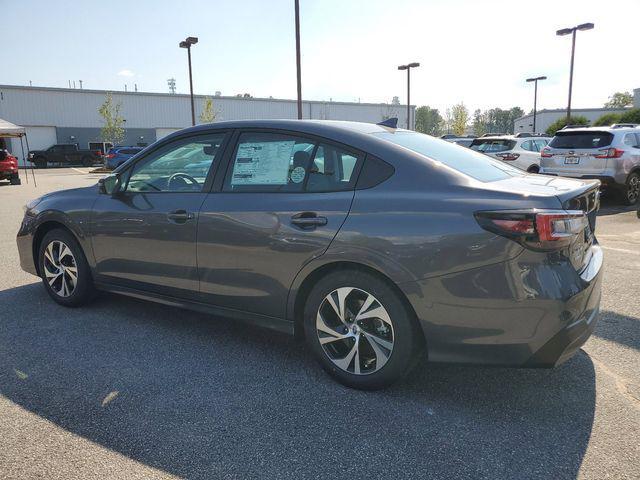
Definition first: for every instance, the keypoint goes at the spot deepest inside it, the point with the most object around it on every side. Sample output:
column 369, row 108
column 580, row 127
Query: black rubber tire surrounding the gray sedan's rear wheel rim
column 407, row 336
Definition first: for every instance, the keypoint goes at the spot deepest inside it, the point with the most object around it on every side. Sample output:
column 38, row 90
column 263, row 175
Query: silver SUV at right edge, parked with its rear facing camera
column 609, row 154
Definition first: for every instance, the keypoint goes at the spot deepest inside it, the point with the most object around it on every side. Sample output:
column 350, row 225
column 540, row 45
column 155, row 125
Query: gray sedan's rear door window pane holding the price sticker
column 270, row 162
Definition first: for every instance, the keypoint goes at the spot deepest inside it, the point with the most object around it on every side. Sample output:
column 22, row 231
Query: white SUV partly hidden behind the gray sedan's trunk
column 521, row 150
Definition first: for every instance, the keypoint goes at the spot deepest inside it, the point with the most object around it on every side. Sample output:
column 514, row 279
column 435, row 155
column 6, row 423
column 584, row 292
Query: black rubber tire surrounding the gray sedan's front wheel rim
column 84, row 286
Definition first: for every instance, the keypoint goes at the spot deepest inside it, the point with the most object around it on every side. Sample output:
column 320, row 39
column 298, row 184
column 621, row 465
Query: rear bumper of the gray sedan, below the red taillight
column 524, row 312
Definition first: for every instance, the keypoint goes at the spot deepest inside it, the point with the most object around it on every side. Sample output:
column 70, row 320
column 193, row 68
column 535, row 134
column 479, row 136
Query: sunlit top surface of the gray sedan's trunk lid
column 546, row 186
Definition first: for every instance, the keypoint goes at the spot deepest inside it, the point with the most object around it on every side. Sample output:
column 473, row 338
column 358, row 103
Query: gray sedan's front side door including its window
column 144, row 236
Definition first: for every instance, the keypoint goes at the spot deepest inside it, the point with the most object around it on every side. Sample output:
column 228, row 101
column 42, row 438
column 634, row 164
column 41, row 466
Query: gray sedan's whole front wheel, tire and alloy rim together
column 50, row 265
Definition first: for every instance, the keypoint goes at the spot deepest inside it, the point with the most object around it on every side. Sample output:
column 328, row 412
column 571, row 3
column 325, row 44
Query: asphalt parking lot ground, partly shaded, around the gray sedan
column 124, row 388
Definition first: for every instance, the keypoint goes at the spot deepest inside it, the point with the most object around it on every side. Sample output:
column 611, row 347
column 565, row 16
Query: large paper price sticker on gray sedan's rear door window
column 263, row 163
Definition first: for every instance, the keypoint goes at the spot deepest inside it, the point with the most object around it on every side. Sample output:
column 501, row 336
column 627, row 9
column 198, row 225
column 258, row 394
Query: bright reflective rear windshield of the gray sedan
column 464, row 160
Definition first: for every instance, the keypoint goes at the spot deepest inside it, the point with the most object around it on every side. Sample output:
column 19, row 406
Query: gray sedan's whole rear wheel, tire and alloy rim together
column 382, row 358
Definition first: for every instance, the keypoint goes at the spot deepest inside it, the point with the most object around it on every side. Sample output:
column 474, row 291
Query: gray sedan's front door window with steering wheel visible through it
column 181, row 166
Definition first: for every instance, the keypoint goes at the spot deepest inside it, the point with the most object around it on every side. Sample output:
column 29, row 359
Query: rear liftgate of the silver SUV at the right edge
column 579, row 152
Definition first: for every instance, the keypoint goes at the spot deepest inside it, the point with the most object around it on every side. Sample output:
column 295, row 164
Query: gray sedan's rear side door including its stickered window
column 282, row 201
